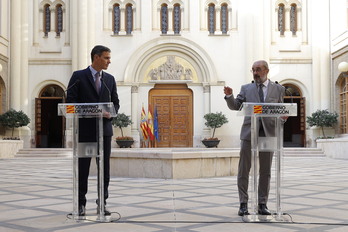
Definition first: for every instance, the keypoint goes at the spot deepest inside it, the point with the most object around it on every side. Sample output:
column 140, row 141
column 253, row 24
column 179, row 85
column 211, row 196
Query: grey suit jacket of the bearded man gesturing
column 249, row 93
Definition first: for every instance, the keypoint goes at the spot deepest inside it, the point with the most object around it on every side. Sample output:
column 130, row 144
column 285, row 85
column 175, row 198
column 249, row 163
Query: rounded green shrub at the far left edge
column 14, row 119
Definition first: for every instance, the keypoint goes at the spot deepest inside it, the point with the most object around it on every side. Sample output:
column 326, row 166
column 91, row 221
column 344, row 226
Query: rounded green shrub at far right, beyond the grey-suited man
column 322, row 118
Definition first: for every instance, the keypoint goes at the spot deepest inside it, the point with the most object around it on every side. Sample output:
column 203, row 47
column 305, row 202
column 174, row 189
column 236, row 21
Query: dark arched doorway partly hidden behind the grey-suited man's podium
column 295, row 127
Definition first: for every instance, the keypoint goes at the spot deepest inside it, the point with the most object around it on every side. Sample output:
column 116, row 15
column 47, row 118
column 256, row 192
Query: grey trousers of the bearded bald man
column 265, row 163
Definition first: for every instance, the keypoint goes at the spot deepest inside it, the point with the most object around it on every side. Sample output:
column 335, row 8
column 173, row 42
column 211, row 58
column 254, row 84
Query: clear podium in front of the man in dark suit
column 76, row 111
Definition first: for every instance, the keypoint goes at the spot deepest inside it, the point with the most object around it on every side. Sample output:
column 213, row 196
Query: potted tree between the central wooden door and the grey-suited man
column 213, row 121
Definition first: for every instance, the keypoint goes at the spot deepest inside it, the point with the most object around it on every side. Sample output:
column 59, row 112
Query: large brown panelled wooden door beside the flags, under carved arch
column 175, row 115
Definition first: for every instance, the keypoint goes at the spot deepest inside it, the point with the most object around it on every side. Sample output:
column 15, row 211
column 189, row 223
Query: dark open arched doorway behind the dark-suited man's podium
column 49, row 126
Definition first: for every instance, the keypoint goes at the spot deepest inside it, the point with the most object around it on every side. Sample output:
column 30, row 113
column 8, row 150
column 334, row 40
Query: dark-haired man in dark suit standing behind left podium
column 93, row 85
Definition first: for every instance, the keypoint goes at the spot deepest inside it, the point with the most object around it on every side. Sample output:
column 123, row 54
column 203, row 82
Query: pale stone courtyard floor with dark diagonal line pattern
column 36, row 195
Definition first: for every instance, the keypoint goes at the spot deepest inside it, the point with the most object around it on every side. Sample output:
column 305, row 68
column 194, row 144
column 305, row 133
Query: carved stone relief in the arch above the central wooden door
column 170, row 70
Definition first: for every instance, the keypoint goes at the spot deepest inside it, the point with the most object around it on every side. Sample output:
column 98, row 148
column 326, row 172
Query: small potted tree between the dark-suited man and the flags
column 121, row 121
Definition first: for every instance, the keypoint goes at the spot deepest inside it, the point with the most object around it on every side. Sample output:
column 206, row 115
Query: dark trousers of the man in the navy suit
column 84, row 166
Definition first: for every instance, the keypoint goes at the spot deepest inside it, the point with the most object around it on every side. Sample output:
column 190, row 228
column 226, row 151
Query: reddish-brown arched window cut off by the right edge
column 343, row 105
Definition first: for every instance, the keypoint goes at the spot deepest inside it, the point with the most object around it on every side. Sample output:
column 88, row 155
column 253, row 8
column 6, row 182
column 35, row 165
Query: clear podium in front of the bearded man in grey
column 276, row 111
